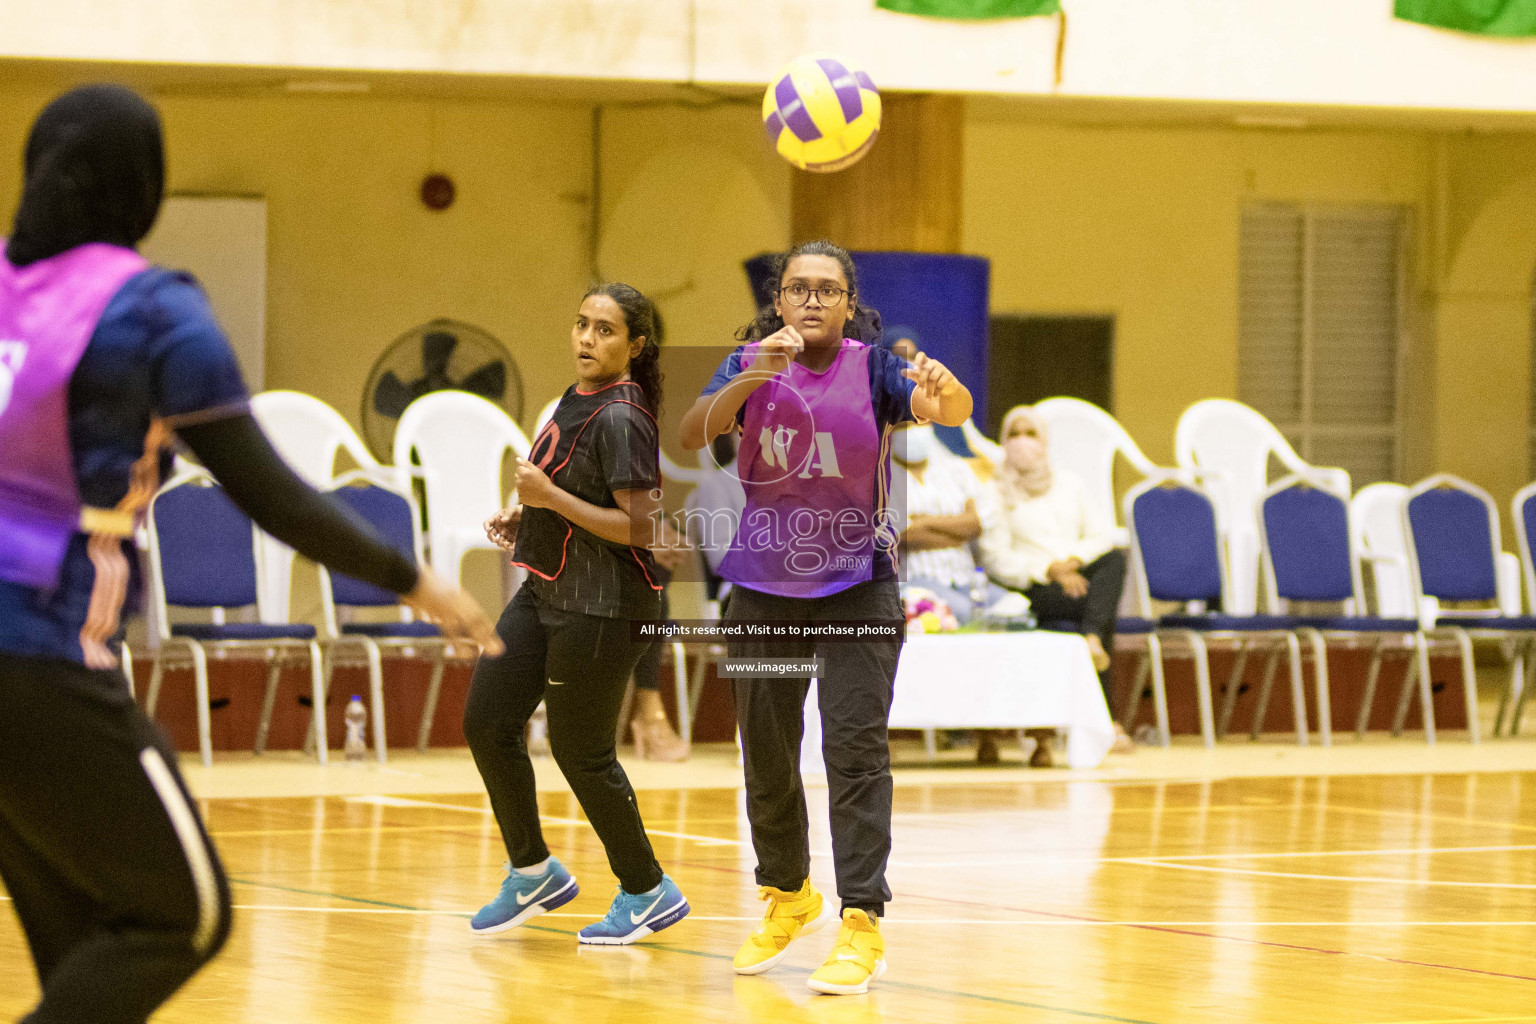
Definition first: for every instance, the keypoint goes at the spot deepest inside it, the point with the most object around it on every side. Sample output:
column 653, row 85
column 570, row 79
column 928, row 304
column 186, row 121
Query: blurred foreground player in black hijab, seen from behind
column 102, row 850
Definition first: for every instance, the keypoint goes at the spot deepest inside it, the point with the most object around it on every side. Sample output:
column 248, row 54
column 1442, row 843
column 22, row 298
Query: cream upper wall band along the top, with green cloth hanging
column 1331, row 53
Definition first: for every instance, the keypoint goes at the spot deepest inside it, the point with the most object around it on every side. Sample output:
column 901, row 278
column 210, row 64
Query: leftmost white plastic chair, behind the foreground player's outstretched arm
column 310, row 435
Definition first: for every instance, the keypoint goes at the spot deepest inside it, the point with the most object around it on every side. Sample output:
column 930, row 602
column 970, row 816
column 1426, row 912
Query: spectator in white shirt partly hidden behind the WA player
column 947, row 510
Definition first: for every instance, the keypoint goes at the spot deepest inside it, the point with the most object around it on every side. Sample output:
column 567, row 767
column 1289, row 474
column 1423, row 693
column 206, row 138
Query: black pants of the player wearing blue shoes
column 578, row 666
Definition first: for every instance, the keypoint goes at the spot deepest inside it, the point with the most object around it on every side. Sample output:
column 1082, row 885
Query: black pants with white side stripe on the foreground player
column 102, row 850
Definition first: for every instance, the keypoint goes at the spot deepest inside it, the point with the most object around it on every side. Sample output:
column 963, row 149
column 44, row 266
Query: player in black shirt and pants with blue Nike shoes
column 581, row 532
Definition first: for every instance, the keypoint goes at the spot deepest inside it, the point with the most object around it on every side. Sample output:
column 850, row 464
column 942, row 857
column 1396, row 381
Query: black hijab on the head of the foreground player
column 94, row 171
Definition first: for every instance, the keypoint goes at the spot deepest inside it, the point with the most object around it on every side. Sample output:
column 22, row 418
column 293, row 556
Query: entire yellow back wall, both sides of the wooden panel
column 1139, row 222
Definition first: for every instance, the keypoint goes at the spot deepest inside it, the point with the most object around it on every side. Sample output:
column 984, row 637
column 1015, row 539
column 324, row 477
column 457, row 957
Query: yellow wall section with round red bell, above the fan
column 354, row 257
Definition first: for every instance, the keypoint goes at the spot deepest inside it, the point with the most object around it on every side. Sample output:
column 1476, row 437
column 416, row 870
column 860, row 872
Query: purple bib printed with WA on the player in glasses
column 816, row 471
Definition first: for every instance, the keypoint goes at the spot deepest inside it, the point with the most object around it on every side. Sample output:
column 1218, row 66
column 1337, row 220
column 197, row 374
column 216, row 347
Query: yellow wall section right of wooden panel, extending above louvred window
column 1144, row 223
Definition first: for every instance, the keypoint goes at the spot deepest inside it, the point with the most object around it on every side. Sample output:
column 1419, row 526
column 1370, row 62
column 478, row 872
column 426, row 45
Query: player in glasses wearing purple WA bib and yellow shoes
column 816, row 403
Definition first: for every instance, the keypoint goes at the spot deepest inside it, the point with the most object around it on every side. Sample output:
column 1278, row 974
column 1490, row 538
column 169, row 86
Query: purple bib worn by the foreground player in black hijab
column 48, row 312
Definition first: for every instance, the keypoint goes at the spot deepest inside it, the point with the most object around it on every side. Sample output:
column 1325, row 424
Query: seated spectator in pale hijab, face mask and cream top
column 1050, row 544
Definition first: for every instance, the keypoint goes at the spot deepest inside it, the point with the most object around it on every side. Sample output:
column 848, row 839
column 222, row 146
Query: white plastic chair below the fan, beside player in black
column 460, row 441
